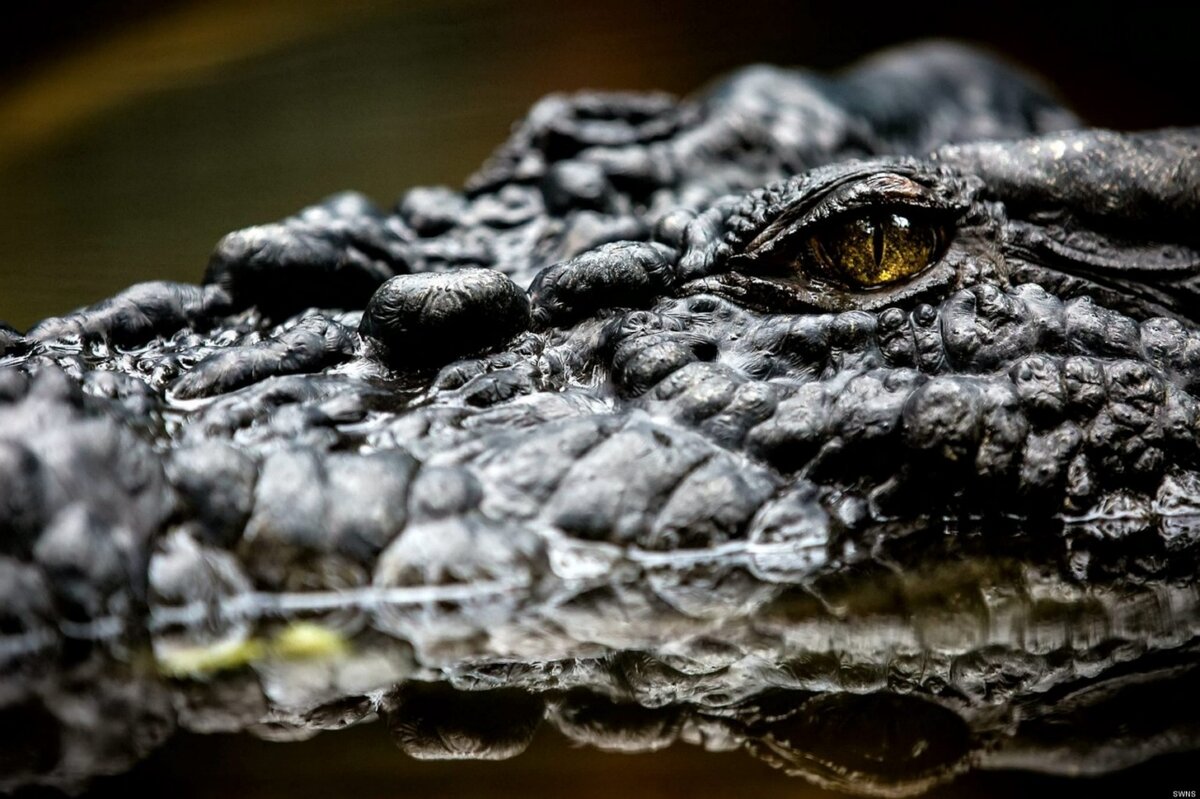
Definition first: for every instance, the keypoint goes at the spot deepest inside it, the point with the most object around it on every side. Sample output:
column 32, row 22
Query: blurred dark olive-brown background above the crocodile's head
column 134, row 134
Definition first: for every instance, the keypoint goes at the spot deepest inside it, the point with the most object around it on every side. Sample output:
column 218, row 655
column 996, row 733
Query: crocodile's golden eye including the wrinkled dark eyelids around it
column 871, row 236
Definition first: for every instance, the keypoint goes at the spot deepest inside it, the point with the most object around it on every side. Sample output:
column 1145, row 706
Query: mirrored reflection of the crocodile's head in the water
column 890, row 701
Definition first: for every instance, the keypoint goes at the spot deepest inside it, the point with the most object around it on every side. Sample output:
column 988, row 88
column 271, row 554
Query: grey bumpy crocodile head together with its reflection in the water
column 881, row 467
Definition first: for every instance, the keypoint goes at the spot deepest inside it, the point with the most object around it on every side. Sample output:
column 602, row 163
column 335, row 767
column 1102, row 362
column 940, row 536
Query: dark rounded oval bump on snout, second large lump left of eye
column 434, row 319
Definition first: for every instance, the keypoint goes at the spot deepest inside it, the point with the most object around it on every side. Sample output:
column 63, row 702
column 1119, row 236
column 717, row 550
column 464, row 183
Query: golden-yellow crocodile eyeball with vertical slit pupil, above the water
column 875, row 250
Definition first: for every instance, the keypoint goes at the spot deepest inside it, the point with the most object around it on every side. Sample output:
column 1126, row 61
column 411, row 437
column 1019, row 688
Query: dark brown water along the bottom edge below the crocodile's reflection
column 362, row 764
